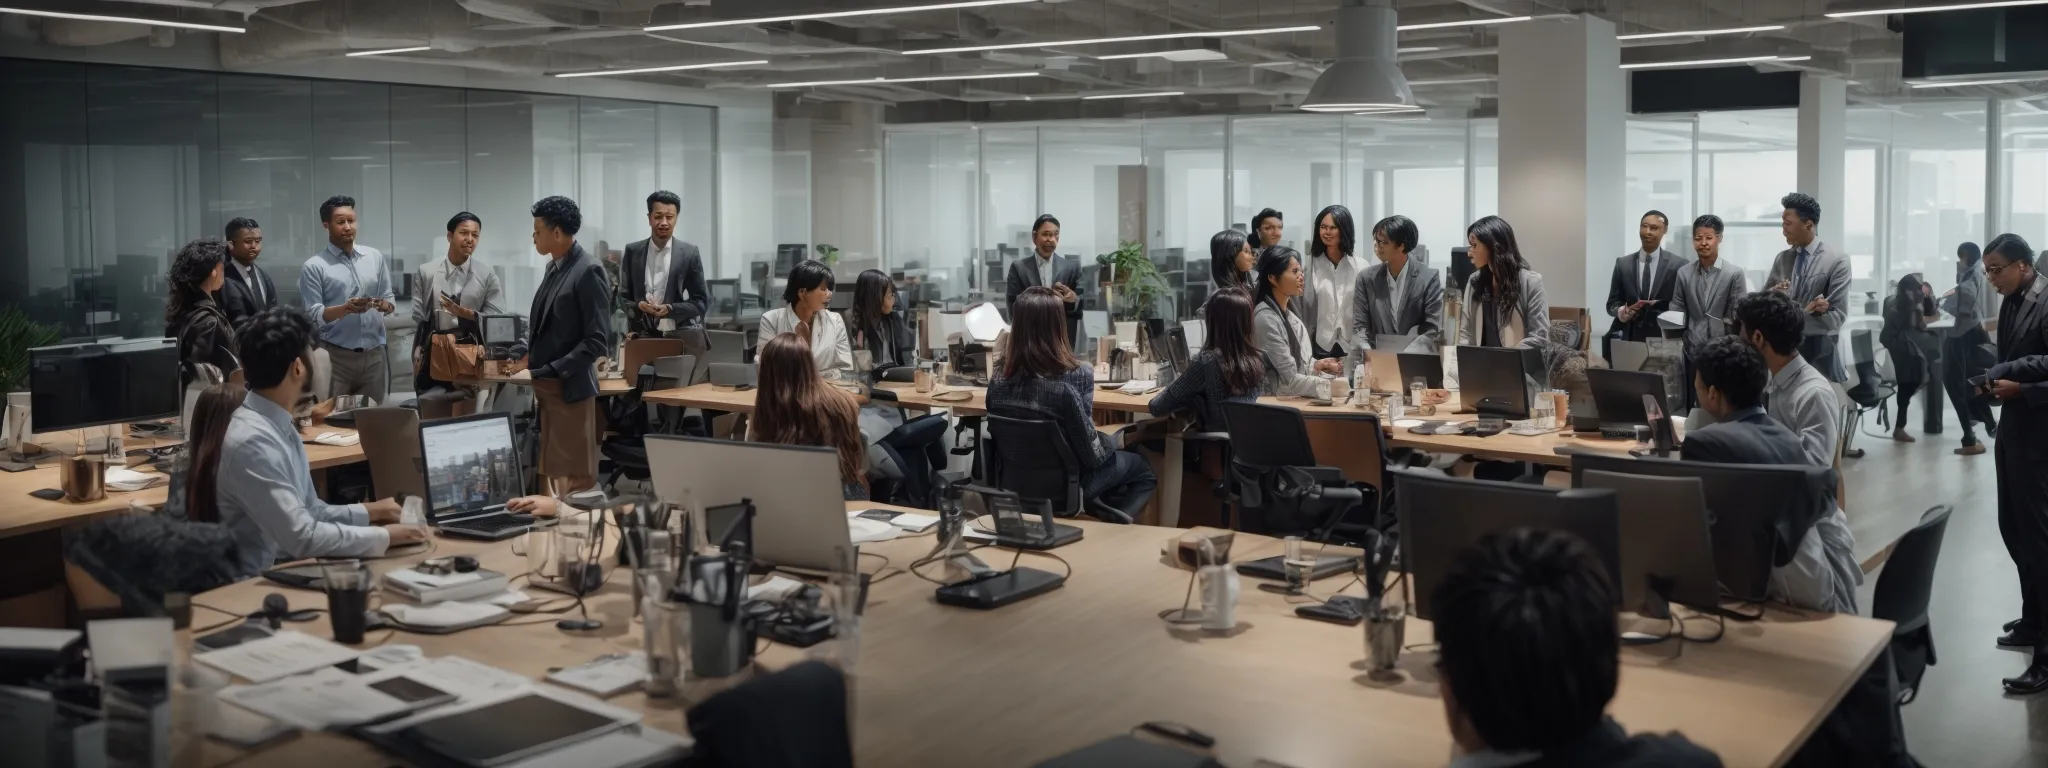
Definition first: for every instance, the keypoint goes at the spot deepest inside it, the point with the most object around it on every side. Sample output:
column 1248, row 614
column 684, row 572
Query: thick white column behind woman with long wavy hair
column 1564, row 151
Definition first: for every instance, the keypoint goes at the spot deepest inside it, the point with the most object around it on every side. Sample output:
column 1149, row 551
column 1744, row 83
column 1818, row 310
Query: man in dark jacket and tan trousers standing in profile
column 572, row 314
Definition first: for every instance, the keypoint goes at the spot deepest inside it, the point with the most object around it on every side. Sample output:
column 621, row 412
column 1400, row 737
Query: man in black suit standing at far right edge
column 2020, row 380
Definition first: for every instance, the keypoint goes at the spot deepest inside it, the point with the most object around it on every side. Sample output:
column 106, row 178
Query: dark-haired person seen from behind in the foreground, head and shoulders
column 1529, row 656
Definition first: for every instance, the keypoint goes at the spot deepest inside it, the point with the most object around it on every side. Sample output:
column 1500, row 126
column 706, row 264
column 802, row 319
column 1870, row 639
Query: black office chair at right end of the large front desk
column 1902, row 597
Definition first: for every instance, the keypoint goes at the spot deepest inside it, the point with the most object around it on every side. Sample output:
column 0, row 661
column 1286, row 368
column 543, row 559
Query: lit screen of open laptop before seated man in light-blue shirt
column 470, row 464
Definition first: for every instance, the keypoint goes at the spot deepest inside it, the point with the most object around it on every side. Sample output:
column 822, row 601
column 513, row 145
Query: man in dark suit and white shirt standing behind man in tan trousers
column 669, row 290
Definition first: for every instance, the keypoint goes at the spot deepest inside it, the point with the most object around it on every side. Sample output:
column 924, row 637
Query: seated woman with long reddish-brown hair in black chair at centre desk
column 1041, row 380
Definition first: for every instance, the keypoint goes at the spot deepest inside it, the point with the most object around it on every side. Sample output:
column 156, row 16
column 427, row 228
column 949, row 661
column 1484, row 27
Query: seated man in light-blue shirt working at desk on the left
column 267, row 495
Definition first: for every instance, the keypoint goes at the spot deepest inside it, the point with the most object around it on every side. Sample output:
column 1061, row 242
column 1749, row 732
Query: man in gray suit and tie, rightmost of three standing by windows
column 1818, row 280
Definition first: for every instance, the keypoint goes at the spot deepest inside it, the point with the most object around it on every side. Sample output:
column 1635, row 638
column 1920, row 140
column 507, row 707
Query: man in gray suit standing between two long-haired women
column 1400, row 296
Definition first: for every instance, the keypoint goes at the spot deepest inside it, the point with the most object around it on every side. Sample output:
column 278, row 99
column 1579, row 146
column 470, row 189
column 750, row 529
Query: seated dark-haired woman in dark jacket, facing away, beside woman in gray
column 1228, row 370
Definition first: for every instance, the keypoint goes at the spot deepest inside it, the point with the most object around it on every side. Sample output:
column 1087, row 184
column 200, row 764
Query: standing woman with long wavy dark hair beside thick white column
column 1504, row 304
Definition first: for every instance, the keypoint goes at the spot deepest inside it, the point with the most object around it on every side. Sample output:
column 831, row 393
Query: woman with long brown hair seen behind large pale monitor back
column 796, row 407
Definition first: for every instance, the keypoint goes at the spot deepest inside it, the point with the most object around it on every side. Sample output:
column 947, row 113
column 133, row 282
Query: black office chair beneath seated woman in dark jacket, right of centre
column 1281, row 488
